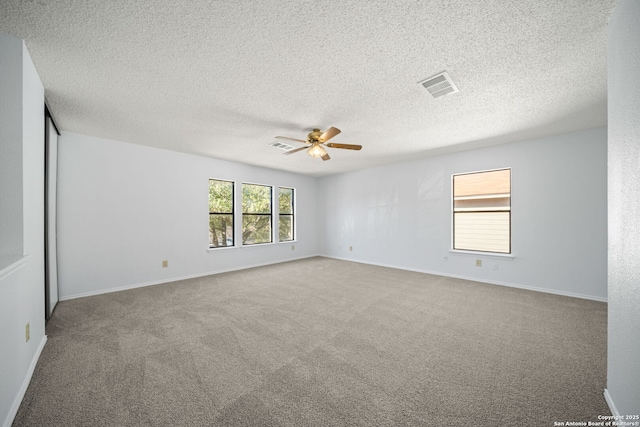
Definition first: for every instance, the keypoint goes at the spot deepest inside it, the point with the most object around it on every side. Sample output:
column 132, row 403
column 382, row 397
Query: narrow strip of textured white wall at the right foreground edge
column 623, row 362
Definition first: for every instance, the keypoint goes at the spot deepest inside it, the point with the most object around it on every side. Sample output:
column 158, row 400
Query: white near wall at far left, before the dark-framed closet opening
column 22, row 282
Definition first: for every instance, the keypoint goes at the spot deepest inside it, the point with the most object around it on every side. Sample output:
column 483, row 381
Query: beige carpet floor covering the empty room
column 320, row 342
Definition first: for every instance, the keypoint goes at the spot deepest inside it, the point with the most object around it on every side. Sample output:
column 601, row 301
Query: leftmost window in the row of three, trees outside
column 220, row 213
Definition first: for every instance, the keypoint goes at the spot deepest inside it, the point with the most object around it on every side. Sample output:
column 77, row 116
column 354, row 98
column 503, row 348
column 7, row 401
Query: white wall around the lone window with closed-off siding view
column 400, row 215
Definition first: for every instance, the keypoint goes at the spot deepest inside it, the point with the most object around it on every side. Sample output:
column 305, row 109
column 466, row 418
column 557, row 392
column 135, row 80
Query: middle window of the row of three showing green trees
column 256, row 214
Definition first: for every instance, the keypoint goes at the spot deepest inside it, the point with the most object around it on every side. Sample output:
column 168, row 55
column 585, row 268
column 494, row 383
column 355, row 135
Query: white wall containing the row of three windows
column 123, row 208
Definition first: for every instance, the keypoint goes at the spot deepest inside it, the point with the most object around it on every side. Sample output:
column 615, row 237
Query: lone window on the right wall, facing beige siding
column 482, row 211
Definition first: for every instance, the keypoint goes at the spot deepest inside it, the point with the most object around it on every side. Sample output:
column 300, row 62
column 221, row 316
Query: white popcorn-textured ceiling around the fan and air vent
column 221, row 78
